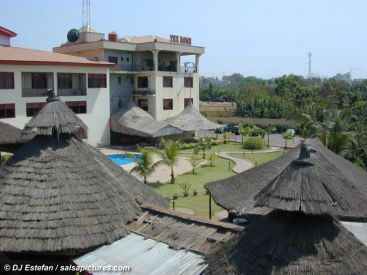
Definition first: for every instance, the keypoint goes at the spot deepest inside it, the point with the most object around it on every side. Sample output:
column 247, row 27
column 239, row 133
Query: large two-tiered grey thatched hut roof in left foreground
column 60, row 194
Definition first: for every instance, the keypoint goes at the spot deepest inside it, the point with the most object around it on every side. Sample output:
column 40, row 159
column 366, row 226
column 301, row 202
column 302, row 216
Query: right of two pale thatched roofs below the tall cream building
column 190, row 119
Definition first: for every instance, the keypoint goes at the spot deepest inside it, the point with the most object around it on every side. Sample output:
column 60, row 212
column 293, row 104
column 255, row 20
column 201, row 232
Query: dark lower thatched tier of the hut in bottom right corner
column 291, row 243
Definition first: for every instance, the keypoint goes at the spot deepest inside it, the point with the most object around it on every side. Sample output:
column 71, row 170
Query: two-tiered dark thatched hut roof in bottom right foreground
column 301, row 236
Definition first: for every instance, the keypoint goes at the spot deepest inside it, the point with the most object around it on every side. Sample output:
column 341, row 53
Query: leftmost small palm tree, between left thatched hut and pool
column 145, row 165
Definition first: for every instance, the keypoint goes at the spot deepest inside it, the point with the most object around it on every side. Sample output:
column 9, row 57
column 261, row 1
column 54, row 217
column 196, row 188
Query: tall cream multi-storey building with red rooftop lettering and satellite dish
column 147, row 70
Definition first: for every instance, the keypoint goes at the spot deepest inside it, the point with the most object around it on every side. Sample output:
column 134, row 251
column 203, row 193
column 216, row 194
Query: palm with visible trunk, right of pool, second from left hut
column 169, row 156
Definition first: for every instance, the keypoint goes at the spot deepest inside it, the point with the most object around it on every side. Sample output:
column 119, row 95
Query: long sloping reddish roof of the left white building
column 21, row 56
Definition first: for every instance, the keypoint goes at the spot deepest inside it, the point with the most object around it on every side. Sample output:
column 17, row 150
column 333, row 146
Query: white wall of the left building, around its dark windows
column 98, row 100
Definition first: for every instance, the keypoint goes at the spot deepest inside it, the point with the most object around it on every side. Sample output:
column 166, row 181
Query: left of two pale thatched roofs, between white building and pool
column 132, row 120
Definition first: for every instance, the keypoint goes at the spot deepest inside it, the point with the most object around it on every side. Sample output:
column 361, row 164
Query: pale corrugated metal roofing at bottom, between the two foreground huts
column 144, row 256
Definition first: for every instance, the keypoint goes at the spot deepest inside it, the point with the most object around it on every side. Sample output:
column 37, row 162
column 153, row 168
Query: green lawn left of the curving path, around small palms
column 202, row 175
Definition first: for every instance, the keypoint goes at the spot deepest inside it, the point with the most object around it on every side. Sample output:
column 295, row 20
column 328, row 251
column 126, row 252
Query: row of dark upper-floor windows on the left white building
column 64, row 80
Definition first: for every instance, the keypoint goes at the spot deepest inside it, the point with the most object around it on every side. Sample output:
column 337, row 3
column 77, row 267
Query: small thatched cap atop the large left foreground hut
column 55, row 116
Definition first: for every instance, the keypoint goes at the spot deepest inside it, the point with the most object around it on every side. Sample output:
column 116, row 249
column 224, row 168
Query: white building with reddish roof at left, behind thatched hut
column 25, row 76
